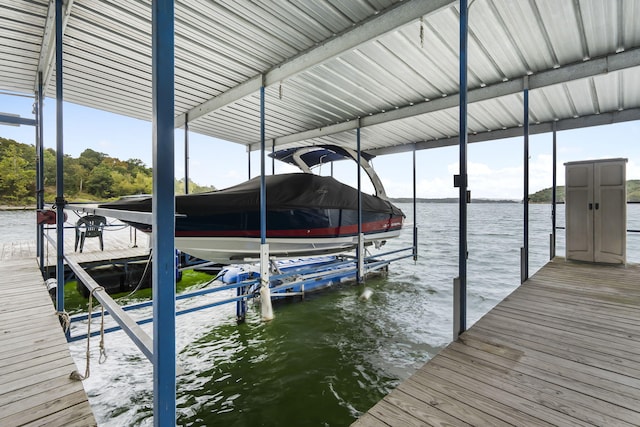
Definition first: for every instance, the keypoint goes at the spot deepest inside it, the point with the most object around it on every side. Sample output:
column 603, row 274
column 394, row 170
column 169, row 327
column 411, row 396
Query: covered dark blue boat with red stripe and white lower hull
column 307, row 214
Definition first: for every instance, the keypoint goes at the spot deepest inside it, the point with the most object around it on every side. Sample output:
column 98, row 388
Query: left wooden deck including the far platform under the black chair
column 35, row 362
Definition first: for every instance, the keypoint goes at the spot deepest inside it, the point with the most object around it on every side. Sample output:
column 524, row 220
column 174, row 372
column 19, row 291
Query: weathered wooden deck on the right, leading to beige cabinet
column 563, row 349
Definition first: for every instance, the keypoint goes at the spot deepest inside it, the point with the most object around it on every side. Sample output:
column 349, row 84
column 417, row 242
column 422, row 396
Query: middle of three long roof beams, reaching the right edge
column 575, row 71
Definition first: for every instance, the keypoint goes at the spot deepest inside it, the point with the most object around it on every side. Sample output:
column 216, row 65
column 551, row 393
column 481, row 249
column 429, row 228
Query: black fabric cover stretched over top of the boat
column 284, row 191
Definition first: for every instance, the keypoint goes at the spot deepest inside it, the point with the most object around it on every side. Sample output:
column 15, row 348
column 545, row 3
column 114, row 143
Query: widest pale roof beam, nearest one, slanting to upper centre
column 368, row 30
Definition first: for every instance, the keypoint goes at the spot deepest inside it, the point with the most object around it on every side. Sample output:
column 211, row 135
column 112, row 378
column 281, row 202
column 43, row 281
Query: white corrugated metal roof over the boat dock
column 390, row 66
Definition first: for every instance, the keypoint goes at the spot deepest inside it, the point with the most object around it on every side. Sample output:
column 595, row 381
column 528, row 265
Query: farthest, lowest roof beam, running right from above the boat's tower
column 546, row 127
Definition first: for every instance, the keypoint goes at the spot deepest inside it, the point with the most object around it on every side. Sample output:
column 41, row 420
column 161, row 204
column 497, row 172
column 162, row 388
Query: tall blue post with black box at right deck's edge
column 462, row 180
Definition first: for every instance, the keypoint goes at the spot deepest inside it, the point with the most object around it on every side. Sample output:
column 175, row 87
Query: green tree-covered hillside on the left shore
column 91, row 176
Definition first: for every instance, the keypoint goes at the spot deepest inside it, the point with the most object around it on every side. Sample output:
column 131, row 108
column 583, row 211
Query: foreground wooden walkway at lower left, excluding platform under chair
column 35, row 363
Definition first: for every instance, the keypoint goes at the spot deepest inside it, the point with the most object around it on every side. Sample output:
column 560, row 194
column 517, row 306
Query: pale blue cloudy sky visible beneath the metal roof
column 495, row 168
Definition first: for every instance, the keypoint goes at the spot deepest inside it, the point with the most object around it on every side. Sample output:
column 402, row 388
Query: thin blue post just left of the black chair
column 60, row 202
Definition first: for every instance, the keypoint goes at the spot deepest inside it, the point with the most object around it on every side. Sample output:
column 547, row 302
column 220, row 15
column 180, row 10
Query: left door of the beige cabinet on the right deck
column 579, row 211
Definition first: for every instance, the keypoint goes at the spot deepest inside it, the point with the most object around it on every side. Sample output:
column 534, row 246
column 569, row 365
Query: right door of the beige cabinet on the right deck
column 610, row 214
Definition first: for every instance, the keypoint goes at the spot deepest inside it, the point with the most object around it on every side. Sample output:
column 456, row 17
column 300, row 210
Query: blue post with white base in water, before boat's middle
column 265, row 293
